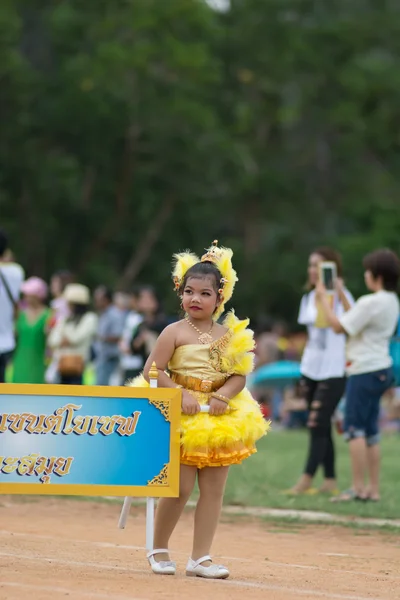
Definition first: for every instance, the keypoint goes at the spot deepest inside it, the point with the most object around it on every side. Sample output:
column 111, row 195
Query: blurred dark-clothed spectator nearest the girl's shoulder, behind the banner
column 152, row 324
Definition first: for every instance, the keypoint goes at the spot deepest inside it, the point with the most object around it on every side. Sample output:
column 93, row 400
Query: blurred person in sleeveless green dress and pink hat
column 31, row 331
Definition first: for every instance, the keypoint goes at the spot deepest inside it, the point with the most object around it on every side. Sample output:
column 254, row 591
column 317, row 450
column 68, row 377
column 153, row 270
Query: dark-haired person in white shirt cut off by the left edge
column 11, row 278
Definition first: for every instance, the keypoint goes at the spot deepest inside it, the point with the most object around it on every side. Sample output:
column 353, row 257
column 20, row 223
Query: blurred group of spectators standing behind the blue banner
column 49, row 333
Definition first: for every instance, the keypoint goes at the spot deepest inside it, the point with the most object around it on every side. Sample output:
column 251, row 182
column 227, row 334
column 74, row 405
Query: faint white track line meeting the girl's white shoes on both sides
column 232, row 582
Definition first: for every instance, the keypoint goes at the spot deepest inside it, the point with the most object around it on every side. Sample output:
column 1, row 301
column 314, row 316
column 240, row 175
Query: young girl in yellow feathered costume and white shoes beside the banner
column 209, row 362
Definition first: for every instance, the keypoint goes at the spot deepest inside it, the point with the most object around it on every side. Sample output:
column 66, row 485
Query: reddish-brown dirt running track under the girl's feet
column 55, row 548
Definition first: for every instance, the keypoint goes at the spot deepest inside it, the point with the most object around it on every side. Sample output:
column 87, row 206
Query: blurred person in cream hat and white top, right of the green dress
column 72, row 336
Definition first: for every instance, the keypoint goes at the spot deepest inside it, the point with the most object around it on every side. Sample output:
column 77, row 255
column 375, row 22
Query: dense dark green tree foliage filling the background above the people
column 134, row 128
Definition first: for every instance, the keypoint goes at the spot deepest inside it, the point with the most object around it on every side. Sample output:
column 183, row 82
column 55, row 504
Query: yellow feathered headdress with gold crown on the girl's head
column 221, row 257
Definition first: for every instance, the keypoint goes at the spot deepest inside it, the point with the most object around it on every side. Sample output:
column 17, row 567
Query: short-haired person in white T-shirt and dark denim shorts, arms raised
column 370, row 324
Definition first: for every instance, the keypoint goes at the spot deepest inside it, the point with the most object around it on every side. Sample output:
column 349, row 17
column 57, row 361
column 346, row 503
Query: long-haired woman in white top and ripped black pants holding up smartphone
column 323, row 370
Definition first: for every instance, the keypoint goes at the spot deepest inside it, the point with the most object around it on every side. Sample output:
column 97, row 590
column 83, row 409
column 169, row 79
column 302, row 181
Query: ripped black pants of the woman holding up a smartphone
column 322, row 399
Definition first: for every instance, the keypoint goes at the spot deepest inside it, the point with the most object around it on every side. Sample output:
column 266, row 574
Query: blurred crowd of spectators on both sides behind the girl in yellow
column 50, row 333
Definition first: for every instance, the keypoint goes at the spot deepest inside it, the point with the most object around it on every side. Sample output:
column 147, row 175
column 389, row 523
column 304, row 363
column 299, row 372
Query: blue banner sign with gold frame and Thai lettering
column 89, row 440
